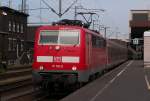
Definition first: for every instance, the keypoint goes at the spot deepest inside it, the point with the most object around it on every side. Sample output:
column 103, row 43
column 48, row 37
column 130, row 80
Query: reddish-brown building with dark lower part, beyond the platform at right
column 139, row 22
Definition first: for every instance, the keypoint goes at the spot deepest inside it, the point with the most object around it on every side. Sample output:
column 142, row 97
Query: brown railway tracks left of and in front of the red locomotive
column 16, row 85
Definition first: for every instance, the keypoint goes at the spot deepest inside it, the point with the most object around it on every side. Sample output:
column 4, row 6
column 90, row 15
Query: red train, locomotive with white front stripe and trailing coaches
column 67, row 53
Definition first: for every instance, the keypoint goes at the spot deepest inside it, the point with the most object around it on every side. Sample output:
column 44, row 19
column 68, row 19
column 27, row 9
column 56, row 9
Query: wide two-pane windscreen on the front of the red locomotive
column 65, row 37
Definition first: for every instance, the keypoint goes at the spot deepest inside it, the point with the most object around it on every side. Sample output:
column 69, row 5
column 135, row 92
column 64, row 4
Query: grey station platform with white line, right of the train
column 128, row 82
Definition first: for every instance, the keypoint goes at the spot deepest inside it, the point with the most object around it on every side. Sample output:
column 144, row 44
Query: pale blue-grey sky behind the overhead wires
column 116, row 16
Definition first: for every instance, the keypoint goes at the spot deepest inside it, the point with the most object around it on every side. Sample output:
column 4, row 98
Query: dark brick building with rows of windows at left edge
column 13, row 29
